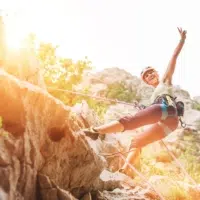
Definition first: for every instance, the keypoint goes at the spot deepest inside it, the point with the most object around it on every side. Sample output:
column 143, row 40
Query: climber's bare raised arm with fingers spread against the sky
column 167, row 78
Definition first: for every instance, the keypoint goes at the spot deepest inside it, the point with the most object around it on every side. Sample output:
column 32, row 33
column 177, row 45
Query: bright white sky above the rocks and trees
column 129, row 34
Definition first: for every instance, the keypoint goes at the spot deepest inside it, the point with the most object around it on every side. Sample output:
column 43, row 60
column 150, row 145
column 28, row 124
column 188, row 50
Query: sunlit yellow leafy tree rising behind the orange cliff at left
column 61, row 74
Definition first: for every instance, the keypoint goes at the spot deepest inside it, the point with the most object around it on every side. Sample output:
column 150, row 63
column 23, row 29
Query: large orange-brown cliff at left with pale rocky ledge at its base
column 44, row 155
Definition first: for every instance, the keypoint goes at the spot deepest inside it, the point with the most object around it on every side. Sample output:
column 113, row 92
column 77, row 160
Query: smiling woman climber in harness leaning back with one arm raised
column 161, row 115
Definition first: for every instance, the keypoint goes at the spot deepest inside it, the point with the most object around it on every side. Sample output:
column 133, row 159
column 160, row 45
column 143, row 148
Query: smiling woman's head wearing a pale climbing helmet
column 151, row 77
